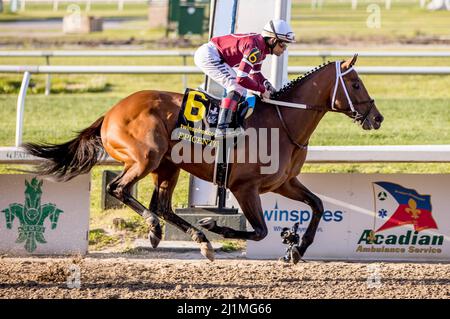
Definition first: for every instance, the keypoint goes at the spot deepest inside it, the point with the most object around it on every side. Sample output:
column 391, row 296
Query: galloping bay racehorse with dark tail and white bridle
column 137, row 132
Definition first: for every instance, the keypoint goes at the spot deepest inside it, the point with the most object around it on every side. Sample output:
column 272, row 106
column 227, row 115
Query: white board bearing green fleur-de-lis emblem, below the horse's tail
column 38, row 216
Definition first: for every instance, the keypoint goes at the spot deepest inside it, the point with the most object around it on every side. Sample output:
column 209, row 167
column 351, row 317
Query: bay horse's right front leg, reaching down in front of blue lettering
column 295, row 190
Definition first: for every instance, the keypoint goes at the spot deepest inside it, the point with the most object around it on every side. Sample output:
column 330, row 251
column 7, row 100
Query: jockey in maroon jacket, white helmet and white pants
column 246, row 52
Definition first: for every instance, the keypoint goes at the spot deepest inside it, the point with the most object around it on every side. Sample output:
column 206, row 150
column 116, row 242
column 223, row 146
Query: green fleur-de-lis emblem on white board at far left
column 31, row 216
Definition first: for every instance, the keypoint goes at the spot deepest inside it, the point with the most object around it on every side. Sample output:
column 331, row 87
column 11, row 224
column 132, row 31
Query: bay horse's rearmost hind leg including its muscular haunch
column 140, row 144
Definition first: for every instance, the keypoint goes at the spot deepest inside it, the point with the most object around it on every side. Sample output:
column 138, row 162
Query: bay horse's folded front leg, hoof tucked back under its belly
column 250, row 204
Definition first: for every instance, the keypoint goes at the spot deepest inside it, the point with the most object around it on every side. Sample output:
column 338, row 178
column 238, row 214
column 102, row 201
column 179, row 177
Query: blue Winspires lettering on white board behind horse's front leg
column 301, row 216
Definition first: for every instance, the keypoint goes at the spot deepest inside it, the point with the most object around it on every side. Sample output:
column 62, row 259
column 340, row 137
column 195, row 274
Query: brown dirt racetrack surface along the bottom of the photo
column 188, row 275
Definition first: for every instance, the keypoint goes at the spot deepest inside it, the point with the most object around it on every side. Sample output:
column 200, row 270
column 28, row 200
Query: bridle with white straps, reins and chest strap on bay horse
column 352, row 112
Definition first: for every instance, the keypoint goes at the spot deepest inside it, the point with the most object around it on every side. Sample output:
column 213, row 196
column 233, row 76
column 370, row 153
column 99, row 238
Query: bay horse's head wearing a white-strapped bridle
column 350, row 96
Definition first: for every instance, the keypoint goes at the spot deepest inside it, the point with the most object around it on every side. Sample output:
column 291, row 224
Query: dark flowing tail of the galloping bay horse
column 68, row 160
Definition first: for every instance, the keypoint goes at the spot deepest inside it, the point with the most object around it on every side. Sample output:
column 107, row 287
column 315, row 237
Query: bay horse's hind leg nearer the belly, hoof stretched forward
column 165, row 179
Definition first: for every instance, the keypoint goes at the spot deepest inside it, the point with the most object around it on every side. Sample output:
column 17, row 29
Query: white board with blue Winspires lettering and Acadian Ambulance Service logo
column 367, row 217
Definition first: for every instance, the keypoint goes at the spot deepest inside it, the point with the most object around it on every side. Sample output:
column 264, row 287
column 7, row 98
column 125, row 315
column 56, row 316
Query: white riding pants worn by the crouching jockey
column 208, row 59
